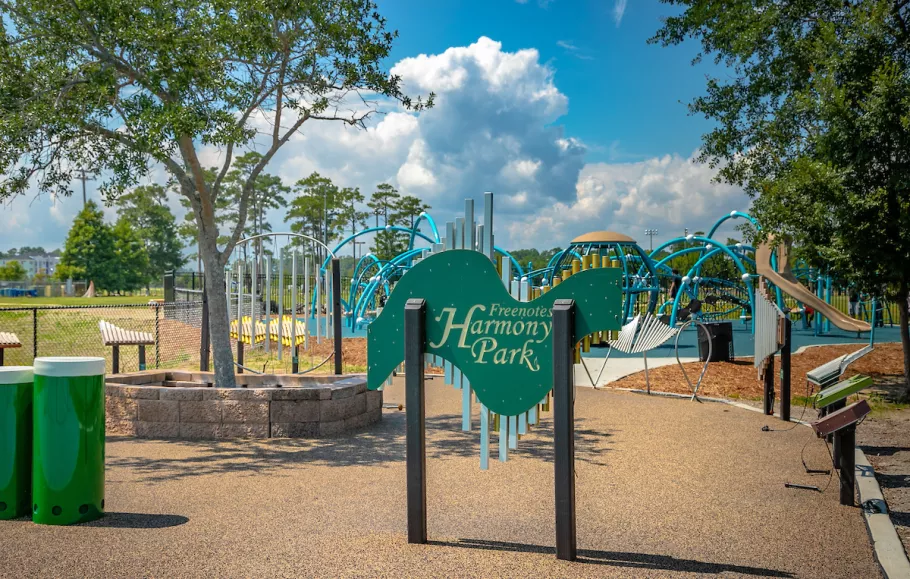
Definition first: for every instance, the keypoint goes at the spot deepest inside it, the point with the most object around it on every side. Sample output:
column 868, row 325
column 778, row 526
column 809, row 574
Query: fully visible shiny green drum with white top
column 68, row 459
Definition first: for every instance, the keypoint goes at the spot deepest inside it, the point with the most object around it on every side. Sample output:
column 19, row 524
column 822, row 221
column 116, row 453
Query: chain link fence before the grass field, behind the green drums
column 174, row 329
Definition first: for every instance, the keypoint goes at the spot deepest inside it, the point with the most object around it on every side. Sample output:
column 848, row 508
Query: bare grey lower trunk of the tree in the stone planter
column 219, row 322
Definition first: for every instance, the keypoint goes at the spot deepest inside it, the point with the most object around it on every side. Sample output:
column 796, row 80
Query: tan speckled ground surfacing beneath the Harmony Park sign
column 665, row 487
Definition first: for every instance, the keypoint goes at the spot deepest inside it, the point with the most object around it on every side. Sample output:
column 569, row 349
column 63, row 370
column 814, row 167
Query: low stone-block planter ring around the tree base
column 174, row 404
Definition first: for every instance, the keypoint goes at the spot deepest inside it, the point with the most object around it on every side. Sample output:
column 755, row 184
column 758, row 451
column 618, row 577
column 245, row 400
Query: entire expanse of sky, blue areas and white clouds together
column 559, row 107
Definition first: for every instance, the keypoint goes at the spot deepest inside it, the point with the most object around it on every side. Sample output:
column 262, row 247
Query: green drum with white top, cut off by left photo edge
column 15, row 441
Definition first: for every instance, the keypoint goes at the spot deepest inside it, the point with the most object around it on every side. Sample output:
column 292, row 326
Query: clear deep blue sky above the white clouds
column 627, row 99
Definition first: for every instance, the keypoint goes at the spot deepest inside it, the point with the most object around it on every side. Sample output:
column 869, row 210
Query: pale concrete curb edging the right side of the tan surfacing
column 886, row 544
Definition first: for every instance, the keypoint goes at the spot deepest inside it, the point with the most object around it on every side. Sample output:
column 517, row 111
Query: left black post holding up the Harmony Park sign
column 415, row 403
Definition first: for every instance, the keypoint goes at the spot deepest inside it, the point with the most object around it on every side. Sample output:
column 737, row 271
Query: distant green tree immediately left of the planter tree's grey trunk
column 145, row 209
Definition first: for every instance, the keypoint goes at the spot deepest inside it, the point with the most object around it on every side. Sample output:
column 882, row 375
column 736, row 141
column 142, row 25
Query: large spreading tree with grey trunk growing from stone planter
column 115, row 86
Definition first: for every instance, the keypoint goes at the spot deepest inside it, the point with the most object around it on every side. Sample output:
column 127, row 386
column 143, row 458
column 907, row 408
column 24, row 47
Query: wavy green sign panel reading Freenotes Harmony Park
column 502, row 346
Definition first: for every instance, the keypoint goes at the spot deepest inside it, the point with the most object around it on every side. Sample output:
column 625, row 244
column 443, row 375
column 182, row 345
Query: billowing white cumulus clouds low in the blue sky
column 494, row 128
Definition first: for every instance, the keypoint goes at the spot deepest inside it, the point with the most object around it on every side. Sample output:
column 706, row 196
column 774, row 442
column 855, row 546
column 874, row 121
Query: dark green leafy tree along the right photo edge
column 813, row 120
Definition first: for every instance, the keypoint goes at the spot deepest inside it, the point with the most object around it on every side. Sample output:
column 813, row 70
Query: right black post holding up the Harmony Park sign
column 564, row 426
